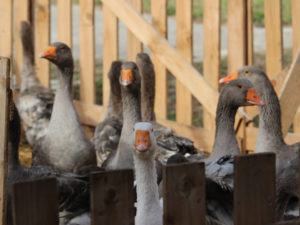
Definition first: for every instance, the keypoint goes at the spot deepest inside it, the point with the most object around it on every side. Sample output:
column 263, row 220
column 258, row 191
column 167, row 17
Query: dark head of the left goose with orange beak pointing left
column 58, row 53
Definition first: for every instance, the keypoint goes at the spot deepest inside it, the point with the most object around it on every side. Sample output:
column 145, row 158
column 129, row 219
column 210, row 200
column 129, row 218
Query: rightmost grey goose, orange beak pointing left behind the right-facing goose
column 270, row 137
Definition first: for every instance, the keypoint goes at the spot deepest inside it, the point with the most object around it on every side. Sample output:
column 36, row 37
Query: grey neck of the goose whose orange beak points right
column 225, row 140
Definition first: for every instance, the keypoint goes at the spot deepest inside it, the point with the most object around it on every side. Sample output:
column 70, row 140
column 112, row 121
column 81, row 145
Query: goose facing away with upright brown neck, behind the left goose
column 35, row 101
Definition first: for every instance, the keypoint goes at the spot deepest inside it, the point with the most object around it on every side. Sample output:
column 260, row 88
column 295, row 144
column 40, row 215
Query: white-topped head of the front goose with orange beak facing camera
column 143, row 140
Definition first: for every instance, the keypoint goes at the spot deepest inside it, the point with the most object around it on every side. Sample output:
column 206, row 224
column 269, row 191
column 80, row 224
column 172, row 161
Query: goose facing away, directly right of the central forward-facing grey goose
column 167, row 140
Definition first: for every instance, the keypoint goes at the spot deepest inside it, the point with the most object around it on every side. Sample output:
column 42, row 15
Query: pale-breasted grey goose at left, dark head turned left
column 65, row 146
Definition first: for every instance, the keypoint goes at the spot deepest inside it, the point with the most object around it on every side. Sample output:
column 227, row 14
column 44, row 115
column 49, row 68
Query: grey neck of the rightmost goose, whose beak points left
column 269, row 132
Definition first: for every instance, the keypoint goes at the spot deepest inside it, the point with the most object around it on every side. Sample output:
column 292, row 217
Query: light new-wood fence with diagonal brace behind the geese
column 189, row 82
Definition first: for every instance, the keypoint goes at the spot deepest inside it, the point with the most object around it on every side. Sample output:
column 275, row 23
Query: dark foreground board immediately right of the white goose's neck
column 184, row 194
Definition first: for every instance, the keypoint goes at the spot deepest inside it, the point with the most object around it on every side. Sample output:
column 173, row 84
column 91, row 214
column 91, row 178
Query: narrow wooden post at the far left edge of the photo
column 4, row 107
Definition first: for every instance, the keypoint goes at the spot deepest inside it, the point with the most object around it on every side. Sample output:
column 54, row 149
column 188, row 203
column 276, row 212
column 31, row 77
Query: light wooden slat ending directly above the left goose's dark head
column 64, row 21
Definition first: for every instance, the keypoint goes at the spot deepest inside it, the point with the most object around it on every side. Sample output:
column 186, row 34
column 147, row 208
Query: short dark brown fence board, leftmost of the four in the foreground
column 29, row 198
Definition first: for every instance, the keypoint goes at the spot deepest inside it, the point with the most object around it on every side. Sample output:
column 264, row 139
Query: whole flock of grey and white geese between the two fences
column 130, row 137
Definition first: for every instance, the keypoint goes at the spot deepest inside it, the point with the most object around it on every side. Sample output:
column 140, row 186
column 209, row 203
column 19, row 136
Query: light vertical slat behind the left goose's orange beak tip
column 42, row 39
